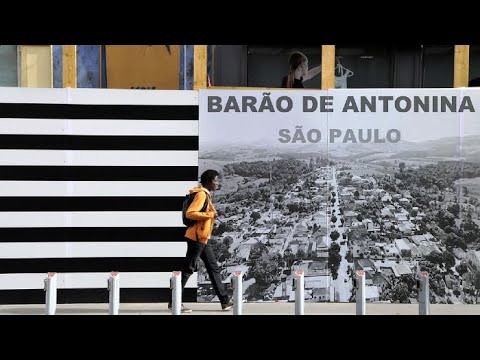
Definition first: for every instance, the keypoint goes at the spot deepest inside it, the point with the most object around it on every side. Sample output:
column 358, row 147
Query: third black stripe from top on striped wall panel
column 100, row 173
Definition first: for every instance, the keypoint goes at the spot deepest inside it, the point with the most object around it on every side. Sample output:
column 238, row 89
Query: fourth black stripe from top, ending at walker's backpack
column 91, row 203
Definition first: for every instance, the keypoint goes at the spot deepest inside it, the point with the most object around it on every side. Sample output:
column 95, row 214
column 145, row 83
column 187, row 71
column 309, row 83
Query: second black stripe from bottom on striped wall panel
column 133, row 264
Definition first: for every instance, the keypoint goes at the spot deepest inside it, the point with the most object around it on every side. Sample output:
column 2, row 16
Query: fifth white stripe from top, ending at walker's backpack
column 92, row 219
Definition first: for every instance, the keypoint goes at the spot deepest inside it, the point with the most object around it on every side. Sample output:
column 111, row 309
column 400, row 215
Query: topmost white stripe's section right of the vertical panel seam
column 133, row 97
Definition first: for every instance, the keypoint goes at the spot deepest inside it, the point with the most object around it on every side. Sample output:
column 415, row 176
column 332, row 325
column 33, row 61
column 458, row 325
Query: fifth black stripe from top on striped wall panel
column 97, row 234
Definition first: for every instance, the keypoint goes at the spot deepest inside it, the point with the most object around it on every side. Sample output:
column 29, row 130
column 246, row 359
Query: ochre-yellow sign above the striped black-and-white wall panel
column 143, row 66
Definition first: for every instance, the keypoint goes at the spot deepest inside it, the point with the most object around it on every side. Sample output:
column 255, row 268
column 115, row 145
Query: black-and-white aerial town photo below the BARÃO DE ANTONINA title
column 331, row 208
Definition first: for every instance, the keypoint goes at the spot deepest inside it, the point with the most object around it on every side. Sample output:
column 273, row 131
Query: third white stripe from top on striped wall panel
column 98, row 158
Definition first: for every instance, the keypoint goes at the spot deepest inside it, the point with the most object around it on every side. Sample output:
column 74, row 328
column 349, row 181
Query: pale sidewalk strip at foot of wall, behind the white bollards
column 248, row 309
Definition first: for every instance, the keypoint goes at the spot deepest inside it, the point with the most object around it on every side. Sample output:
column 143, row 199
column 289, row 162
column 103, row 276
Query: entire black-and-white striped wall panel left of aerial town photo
column 92, row 181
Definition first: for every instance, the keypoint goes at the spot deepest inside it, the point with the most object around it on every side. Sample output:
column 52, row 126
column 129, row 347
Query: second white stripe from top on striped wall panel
column 99, row 127
